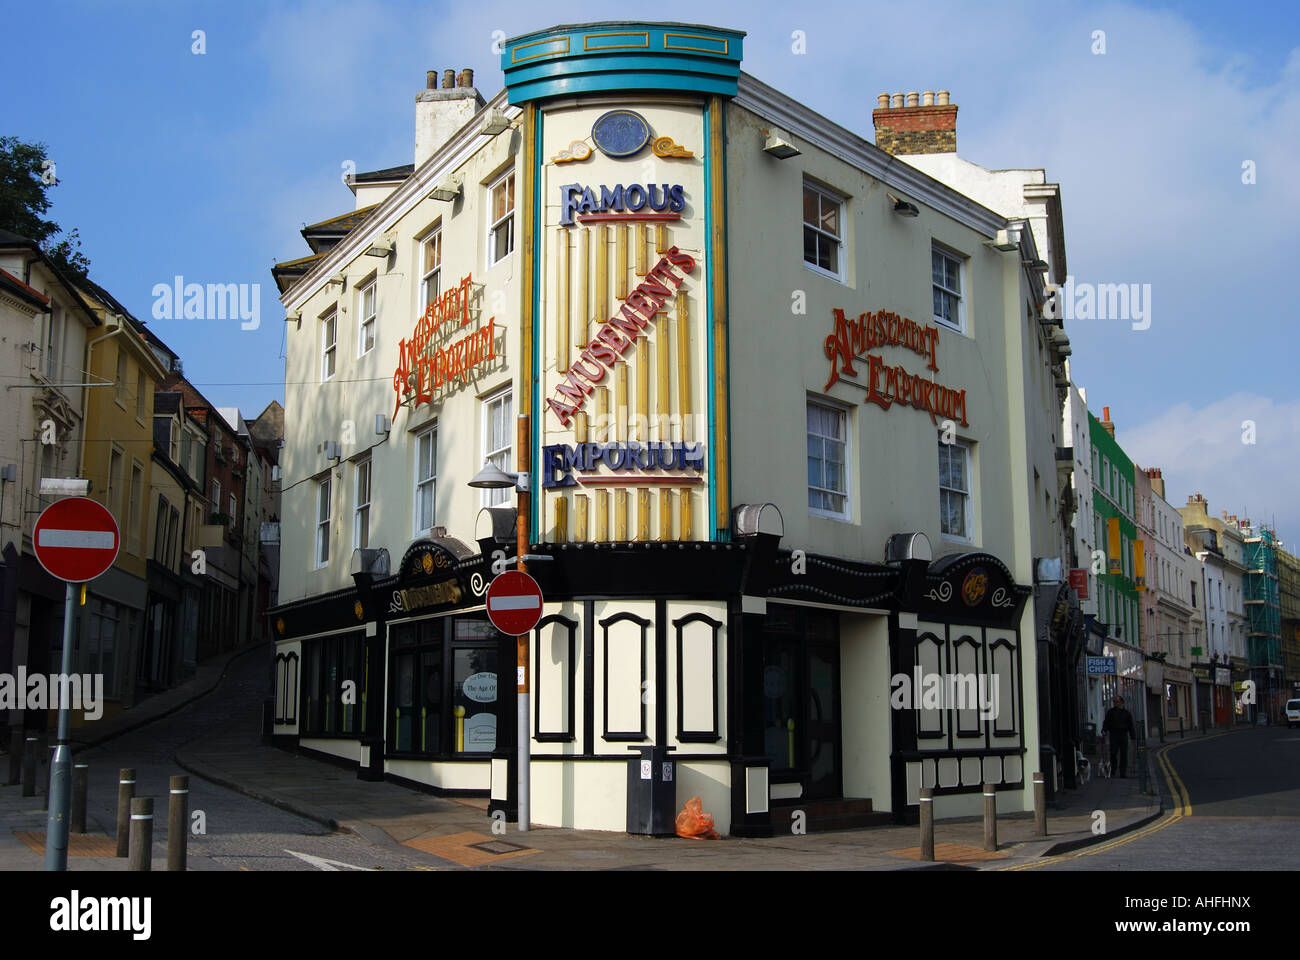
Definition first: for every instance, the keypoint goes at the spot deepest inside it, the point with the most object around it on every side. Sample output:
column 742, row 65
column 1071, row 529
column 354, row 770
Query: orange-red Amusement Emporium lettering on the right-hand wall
column 889, row 386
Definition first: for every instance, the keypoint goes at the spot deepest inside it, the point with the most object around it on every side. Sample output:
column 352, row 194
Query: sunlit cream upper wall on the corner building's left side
column 343, row 408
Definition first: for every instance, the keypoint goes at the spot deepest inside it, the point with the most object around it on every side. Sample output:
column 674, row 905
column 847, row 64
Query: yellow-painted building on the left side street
column 118, row 460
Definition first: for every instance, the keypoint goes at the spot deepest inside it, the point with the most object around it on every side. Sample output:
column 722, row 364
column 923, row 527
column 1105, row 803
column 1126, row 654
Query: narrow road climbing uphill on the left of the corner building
column 241, row 833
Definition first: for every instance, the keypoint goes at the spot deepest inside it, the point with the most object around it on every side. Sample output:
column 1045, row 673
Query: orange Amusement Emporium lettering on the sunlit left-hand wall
column 424, row 367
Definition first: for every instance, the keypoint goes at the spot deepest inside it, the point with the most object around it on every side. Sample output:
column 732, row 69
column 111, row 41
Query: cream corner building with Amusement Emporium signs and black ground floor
column 775, row 414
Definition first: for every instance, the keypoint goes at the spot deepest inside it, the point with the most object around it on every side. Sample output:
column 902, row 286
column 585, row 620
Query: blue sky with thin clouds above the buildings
column 207, row 166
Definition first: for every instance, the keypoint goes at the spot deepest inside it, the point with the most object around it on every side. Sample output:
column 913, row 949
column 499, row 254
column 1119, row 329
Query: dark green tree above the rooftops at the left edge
column 25, row 178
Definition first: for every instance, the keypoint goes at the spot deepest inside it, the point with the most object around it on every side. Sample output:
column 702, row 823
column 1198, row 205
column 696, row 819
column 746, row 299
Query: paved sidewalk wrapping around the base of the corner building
column 460, row 832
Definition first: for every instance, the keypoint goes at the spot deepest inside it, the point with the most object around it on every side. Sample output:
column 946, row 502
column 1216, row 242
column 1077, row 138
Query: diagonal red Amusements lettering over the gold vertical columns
column 621, row 332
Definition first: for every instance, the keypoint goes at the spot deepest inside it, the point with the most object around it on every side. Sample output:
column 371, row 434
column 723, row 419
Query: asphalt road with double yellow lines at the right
column 1233, row 803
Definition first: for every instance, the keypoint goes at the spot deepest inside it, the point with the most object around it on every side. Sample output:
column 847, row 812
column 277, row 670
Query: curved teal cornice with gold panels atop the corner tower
column 621, row 57
